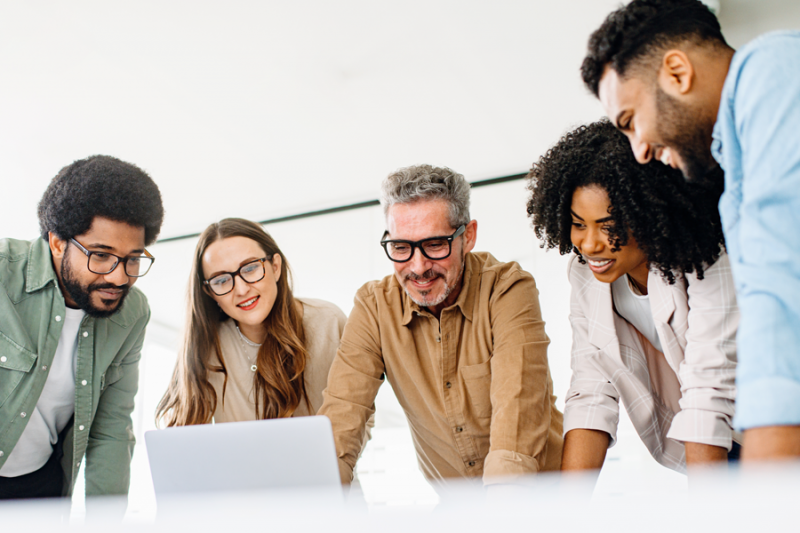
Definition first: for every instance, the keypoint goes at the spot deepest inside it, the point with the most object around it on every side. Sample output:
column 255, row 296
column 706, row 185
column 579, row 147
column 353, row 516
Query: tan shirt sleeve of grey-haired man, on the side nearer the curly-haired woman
column 521, row 387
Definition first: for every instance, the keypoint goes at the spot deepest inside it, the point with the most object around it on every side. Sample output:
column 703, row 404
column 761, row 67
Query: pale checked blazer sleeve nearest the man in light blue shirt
column 708, row 371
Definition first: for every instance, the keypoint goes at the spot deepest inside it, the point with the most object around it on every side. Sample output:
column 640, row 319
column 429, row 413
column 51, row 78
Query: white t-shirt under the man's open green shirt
column 55, row 407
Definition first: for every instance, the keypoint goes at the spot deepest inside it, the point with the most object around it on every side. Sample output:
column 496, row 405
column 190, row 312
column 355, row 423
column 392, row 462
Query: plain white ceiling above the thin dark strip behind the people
column 261, row 109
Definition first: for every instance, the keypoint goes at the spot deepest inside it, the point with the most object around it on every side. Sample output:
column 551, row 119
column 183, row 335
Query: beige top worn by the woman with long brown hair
column 323, row 323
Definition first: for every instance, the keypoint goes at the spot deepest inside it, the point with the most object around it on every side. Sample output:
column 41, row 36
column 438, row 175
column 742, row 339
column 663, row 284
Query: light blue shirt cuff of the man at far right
column 771, row 401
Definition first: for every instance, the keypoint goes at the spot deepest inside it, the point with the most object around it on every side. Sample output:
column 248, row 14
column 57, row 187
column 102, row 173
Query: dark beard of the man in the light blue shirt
column 687, row 132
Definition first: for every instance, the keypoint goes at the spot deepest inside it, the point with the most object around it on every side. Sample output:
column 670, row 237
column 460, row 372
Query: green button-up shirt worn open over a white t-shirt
column 106, row 379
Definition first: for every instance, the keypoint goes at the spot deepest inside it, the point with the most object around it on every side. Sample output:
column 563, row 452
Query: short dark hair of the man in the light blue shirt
column 636, row 31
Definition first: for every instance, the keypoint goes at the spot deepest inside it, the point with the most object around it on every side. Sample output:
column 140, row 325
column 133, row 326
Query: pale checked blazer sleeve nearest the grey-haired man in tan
column 592, row 401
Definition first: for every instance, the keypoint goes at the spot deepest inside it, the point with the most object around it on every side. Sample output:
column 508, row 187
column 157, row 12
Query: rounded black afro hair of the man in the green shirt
column 101, row 186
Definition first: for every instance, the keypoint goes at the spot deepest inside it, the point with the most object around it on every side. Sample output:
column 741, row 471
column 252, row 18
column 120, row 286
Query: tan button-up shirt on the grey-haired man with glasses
column 474, row 384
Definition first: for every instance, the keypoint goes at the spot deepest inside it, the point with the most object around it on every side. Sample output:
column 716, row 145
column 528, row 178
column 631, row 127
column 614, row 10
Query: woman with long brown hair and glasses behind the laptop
column 251, row 349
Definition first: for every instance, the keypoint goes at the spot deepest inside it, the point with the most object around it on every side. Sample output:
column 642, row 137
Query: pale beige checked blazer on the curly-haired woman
column 685, row 394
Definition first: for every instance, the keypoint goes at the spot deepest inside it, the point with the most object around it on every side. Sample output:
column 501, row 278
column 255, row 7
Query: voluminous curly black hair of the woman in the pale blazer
column 675, row 223
